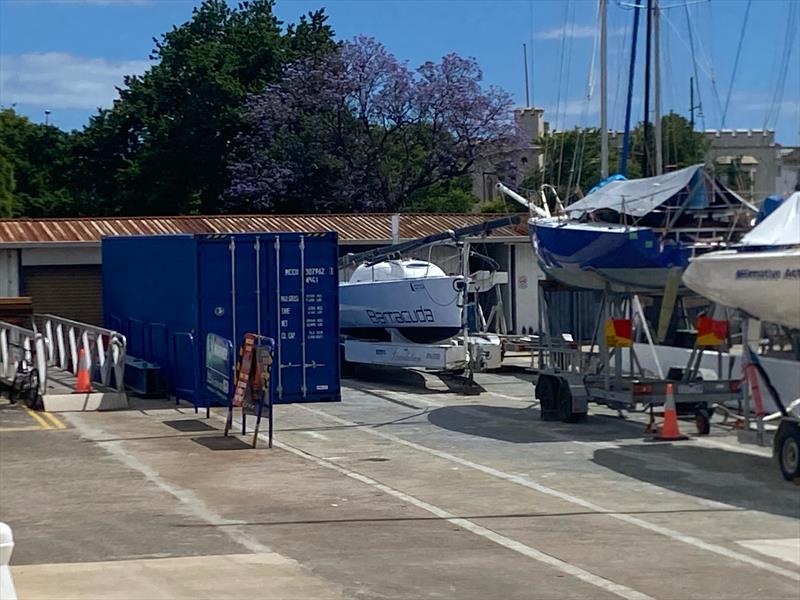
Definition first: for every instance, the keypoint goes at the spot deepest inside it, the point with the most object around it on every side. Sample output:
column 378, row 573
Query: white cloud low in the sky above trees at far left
column 60, row 80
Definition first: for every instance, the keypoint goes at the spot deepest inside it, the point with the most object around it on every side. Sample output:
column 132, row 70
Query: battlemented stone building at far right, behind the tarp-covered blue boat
column 746, row 160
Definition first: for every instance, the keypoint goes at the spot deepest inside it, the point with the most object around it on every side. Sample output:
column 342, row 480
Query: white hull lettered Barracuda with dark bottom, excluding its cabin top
column 423, row 310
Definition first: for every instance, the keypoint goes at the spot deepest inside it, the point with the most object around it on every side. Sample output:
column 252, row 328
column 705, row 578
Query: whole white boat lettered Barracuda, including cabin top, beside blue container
column 412, row 299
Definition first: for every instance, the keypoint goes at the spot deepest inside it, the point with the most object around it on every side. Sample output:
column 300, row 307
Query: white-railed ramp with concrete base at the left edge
column 40, row 365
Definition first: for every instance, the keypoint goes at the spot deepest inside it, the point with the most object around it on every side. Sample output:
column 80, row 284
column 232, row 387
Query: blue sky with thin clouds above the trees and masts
column 67, row 55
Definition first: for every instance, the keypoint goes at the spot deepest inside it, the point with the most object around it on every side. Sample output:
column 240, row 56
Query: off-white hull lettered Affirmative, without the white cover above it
column 763, row 284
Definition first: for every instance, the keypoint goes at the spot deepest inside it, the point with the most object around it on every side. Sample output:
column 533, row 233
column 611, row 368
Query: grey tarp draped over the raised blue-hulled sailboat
column 639, row 197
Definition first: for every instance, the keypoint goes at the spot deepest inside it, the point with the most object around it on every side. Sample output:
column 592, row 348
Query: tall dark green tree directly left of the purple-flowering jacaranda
column 162, row 148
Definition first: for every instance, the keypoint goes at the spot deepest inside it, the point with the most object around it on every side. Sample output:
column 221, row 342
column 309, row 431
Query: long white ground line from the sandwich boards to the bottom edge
column 565, row 567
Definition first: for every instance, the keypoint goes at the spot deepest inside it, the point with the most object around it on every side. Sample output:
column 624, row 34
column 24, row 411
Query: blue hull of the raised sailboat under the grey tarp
column 600, row 256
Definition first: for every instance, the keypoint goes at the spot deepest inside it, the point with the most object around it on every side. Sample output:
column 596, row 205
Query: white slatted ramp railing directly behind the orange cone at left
column 104, row 349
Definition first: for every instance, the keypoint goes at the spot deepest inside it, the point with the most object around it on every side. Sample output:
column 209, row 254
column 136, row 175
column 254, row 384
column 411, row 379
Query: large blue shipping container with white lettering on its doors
column 165, row 293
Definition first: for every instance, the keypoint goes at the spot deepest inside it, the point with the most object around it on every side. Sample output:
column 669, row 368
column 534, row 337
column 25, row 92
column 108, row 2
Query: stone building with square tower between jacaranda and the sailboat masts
column 509, row 160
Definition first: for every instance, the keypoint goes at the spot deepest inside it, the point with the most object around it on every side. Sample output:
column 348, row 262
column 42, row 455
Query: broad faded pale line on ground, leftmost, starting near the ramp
column 193, row 505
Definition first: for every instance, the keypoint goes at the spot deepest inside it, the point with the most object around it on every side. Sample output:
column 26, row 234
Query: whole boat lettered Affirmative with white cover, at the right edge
column 761, row 276
